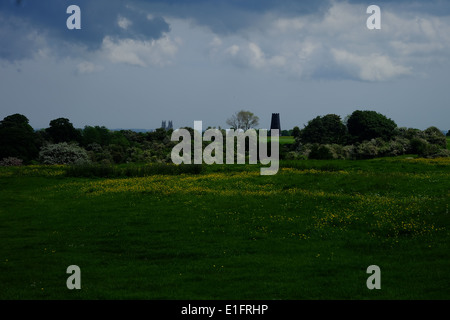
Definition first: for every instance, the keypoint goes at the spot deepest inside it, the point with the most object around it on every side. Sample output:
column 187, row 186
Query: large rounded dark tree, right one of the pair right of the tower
column 367, row 125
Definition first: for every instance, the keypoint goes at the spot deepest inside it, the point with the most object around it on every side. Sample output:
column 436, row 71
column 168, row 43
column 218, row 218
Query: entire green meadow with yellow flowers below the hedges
column 309, row 232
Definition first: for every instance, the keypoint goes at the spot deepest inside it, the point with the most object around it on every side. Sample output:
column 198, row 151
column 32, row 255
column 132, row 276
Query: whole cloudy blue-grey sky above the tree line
column 136, row 63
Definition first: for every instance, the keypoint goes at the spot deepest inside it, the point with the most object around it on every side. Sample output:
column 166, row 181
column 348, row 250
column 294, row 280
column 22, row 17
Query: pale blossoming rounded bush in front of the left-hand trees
column 63, row 153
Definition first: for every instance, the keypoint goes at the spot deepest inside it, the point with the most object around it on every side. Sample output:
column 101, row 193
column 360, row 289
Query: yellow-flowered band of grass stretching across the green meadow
column 380, row 215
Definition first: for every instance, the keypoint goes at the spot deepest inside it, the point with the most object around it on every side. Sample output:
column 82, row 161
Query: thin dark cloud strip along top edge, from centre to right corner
column 230, row 16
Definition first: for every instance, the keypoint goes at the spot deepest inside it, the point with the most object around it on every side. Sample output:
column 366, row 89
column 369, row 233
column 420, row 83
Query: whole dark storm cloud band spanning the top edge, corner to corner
column 28, row 26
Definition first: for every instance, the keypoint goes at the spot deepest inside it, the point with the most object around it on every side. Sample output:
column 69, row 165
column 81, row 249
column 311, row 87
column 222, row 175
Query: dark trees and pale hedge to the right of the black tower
column 363, row 135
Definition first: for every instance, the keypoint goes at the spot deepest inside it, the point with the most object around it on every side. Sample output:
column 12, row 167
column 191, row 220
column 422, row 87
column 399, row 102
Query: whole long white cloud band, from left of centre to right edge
column 303, row 46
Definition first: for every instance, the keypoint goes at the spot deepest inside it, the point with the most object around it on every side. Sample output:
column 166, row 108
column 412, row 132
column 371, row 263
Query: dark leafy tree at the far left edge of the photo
column 17, row 138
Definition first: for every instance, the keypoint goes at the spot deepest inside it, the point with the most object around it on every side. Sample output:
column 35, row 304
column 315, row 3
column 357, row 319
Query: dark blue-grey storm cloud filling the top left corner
column 27, row 25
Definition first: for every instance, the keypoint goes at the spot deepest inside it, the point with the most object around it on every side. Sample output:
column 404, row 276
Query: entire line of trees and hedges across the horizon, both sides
column 362, row 135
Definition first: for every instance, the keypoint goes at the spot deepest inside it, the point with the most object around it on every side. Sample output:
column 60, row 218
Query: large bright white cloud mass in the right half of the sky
column 339, row 41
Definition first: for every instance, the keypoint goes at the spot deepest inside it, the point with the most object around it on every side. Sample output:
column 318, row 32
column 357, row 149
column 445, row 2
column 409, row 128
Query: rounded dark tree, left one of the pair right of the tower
column 328, row 129
